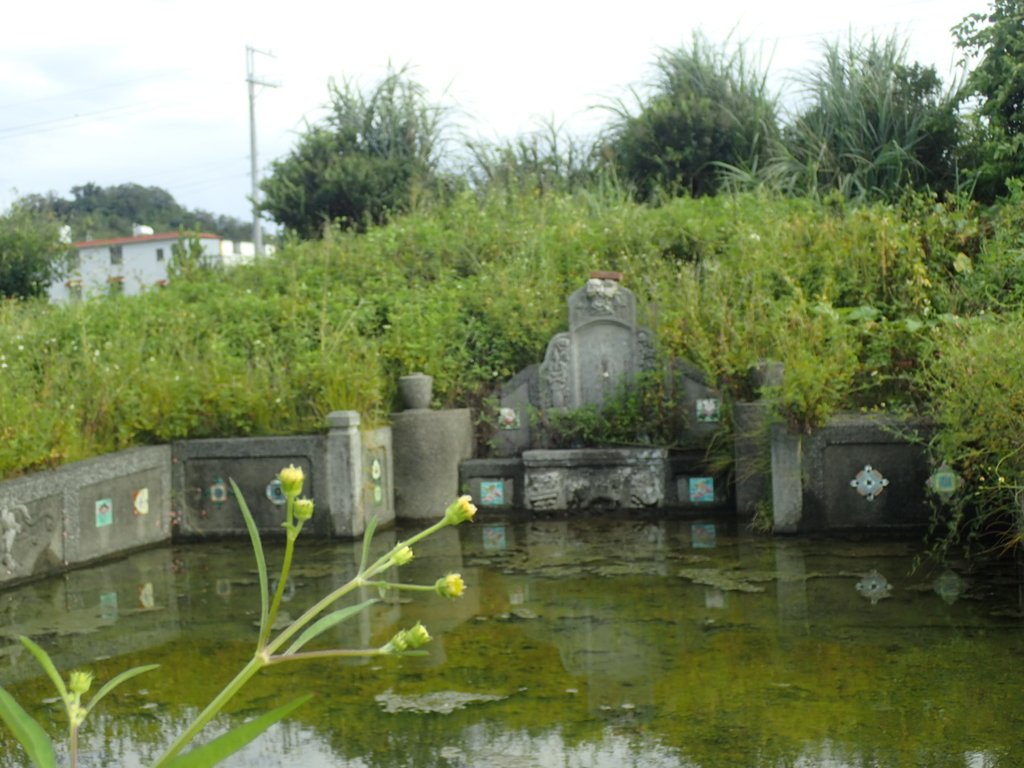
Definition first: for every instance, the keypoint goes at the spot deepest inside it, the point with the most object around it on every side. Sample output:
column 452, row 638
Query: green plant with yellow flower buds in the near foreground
column 287, row 647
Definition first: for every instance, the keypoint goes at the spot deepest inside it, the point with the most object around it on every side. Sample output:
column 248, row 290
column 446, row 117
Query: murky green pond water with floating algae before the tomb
column 580, row 643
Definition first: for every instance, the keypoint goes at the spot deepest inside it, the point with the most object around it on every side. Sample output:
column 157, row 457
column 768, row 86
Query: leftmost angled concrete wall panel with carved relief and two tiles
column 83, row 513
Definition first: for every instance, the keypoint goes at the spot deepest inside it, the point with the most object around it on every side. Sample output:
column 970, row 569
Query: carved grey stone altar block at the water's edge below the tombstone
column 621, row 479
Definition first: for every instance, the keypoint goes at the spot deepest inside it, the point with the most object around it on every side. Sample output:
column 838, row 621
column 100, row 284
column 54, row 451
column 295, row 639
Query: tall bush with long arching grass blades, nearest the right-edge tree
column 874, row 126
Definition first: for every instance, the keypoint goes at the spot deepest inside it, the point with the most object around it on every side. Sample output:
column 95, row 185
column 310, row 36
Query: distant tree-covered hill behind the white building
column 95, row 212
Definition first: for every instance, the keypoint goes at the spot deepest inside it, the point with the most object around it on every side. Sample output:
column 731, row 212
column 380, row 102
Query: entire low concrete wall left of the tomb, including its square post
column 111, row 505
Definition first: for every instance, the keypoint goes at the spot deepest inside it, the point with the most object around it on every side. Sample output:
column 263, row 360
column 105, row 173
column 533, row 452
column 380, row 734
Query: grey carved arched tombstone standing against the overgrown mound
column 603, row 351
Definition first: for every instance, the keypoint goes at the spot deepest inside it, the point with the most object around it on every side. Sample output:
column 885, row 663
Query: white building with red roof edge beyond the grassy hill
column 132, row 266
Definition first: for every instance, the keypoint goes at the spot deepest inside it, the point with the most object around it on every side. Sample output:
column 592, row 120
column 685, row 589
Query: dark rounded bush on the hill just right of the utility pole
column 373, row 155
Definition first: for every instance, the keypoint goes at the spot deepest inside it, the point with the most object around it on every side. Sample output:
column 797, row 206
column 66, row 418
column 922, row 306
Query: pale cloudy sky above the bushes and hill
column 154, row 92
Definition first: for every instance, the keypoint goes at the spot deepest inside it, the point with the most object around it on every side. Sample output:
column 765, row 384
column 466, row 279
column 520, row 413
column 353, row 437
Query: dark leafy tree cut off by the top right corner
column 997, row 86
